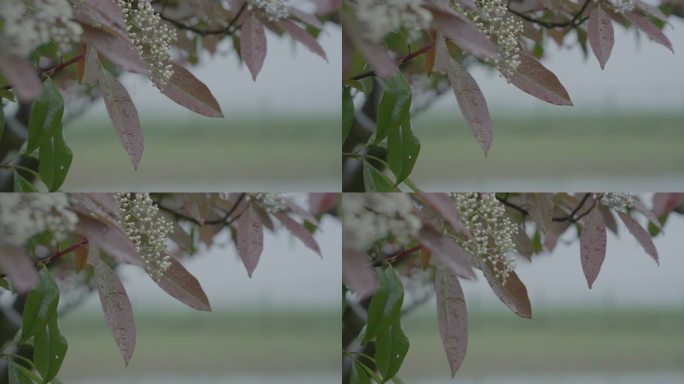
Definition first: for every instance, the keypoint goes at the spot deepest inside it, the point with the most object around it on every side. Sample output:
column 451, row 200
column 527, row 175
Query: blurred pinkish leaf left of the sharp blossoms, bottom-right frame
column 447, row 253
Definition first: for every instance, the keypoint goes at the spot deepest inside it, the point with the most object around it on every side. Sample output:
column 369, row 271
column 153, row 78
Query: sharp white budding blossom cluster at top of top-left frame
column 151, row 37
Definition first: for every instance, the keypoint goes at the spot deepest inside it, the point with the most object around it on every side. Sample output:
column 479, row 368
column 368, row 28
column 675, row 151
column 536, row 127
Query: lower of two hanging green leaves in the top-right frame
column 403, row 148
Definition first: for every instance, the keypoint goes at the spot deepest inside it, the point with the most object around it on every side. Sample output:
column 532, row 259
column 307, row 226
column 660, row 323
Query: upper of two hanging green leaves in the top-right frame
column 395, row 106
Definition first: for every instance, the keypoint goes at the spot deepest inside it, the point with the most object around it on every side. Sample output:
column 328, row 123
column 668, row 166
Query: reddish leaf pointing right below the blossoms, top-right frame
column 533, row 78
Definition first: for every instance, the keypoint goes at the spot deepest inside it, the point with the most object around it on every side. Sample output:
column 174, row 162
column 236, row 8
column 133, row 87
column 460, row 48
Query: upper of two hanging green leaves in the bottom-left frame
column 41, row 305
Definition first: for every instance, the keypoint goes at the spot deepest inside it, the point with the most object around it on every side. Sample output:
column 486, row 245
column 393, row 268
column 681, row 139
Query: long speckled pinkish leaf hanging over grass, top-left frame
column 124, row 116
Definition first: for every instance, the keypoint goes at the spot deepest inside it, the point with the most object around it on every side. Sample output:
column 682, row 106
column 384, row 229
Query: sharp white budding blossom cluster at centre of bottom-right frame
column 491, row 234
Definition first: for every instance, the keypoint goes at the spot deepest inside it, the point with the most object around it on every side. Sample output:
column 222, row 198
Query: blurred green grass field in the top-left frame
column 288, row 153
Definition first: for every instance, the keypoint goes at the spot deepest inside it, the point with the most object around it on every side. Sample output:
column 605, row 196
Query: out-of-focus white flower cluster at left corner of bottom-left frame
column 24, row 215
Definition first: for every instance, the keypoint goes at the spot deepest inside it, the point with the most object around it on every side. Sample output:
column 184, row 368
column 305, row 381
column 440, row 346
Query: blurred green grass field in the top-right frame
column 599, row 148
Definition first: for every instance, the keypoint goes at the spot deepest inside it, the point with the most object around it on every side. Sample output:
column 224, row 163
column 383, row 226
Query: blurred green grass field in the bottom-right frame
column 566, row 341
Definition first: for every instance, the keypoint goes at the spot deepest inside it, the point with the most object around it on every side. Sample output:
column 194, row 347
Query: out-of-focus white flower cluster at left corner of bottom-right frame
column 371, row 217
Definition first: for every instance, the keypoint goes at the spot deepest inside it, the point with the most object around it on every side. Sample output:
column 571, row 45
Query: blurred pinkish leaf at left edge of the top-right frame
column 376, row 55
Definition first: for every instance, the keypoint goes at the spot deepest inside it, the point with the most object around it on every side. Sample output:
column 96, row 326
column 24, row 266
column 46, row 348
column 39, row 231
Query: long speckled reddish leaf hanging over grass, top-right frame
column 469, row 96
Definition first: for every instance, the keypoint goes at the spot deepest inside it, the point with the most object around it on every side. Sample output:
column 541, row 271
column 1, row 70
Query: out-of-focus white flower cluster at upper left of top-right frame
column 381, row 17
